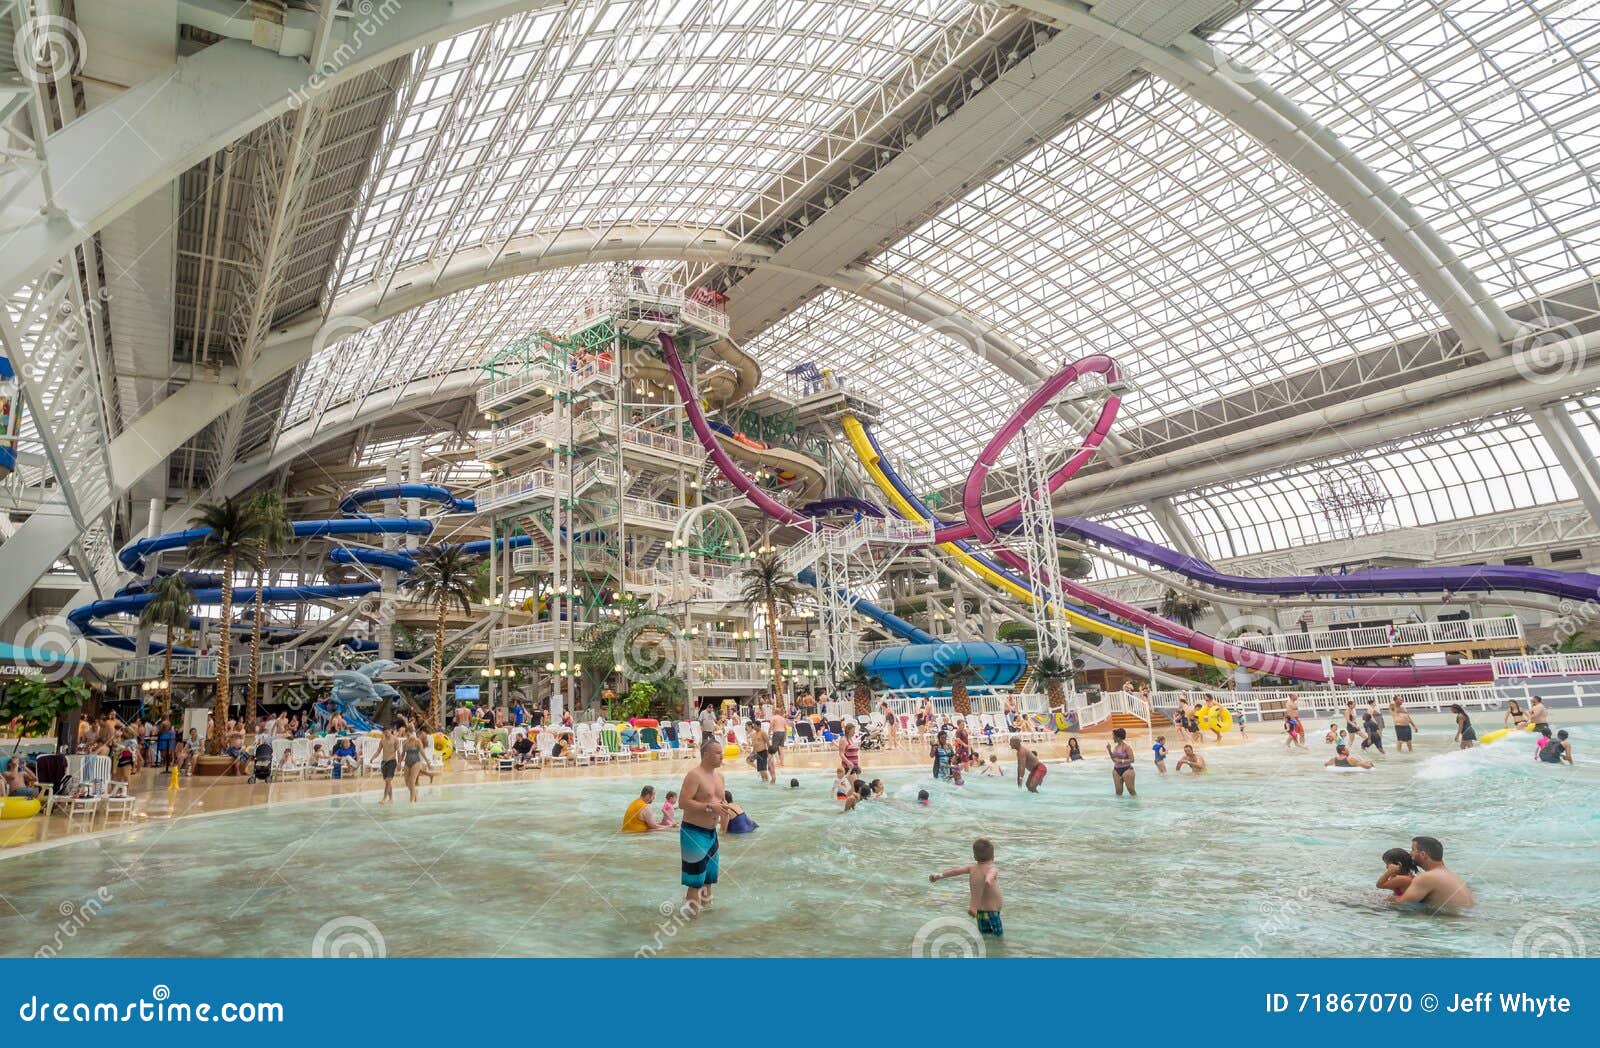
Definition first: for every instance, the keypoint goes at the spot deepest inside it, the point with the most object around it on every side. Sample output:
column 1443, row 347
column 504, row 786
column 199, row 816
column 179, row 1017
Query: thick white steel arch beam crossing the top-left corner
column 103, row 164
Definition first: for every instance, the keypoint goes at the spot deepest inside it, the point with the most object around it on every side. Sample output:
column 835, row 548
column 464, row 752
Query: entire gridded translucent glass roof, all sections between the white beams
column 1150, row 228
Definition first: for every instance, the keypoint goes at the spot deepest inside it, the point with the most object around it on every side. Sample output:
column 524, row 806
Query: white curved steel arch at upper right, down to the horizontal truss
column 1314, row 153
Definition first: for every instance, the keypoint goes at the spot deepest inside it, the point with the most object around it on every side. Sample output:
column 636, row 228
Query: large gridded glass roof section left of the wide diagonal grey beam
column 596, row 114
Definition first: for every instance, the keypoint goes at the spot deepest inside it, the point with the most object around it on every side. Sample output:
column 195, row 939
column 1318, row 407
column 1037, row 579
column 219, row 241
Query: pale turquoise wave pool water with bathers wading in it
column 1268, row 855
